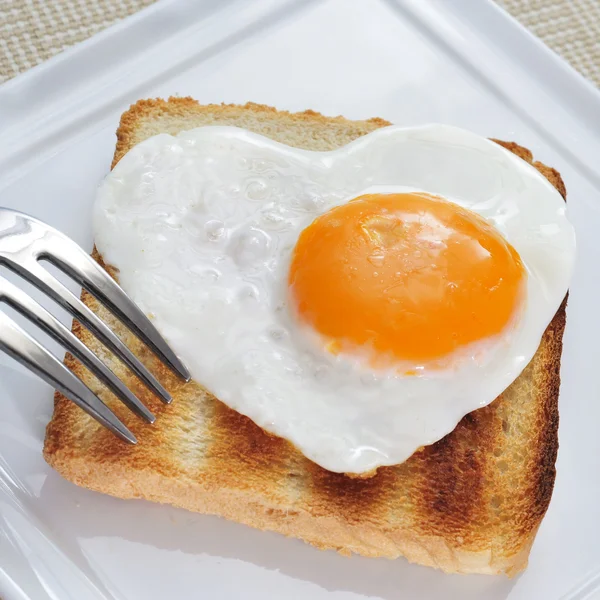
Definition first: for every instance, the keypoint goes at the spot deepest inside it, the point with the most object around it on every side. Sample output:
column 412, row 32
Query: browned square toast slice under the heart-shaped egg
column 471, row 503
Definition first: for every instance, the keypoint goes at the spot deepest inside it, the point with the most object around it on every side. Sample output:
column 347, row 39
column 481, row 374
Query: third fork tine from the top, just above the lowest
column 28, row 307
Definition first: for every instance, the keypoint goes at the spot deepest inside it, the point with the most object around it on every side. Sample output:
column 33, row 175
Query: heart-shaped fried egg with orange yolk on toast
column 357, row 302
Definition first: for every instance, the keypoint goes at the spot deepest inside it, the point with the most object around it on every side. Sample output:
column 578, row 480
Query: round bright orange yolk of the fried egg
column 409, row 276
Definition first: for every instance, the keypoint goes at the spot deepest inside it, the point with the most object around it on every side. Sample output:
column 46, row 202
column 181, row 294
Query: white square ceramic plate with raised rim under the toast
column 464, row 63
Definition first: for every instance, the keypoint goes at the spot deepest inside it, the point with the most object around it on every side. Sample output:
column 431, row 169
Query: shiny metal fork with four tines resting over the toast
column 24, row 241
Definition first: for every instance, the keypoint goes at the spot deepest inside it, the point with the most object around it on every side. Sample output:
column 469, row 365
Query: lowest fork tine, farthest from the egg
column 22, row 347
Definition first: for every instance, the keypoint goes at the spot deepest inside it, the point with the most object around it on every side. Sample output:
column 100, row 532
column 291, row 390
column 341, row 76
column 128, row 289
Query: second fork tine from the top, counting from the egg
column 41, row 278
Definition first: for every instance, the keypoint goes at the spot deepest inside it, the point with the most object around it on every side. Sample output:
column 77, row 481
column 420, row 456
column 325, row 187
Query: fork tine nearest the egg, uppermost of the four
column 70, row 258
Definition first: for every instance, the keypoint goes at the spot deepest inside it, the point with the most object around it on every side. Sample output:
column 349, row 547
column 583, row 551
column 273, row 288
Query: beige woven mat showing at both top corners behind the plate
column 33, row 30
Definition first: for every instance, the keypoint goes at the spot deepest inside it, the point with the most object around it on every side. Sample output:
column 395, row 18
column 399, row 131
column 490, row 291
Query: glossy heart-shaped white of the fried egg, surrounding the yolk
column 202, row 226
